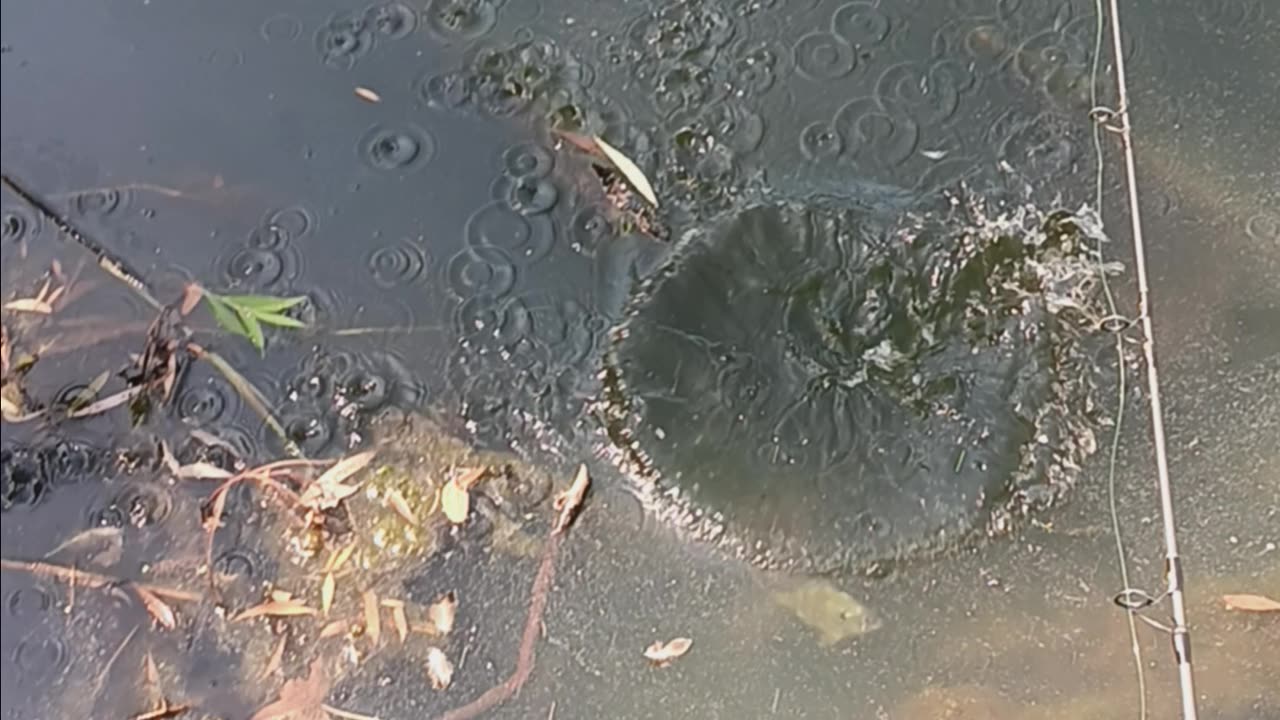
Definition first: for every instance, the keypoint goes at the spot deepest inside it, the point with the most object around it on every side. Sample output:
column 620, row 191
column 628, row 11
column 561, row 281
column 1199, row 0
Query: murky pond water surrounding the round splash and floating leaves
column 465, row 262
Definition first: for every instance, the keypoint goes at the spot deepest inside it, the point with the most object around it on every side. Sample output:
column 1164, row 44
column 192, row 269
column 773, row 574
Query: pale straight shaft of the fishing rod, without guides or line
column 1180, row 634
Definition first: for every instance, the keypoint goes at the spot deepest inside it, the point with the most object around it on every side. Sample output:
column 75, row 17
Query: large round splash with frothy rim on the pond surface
column 822, row 388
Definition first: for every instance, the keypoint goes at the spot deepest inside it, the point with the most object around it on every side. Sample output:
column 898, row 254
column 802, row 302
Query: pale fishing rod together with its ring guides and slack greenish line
column 1130, row 599
